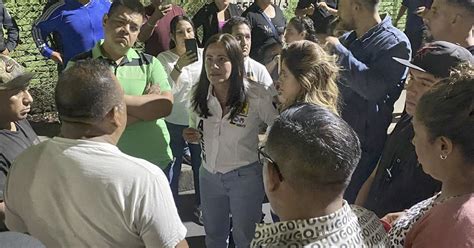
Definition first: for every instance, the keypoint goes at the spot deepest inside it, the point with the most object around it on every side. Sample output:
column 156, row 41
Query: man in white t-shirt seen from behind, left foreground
column 79, row 189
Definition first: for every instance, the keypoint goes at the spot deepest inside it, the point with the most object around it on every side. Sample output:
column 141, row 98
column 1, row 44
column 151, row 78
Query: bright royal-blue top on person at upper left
column 79, row 26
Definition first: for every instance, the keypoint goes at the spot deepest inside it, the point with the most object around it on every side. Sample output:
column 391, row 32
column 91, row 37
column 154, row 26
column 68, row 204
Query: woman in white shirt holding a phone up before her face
column 183, row 69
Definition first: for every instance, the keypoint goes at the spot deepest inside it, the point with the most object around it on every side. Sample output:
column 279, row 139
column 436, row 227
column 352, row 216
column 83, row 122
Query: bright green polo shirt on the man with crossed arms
column 148, row 140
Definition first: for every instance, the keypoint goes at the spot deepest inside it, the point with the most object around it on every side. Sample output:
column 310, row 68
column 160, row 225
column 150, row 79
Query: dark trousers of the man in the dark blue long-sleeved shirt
column 366, row 165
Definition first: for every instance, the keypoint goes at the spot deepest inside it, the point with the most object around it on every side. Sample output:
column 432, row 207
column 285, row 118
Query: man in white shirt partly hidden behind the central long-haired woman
column 239, row 27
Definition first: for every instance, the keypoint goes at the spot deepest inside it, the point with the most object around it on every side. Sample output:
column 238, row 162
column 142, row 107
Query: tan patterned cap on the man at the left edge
column 12, row 74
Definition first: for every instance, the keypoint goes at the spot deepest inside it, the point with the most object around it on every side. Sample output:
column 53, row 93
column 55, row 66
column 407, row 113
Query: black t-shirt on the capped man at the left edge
column 11, row 145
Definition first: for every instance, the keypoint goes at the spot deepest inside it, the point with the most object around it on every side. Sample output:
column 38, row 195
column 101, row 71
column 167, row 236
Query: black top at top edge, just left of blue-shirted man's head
column 320, row 17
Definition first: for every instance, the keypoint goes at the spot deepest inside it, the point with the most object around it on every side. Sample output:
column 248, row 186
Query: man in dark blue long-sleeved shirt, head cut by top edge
column 371, row 81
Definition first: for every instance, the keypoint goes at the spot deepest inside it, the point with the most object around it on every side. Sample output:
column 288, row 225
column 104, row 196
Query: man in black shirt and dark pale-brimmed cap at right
column 399, row 182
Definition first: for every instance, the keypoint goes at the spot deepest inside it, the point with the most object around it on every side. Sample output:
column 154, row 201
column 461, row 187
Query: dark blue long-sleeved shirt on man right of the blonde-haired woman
column 371, row 81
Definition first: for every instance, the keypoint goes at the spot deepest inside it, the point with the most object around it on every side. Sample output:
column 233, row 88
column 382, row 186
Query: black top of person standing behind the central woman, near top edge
column 263, row 36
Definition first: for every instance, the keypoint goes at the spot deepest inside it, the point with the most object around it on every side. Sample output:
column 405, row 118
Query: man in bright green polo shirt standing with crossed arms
column 145, row 83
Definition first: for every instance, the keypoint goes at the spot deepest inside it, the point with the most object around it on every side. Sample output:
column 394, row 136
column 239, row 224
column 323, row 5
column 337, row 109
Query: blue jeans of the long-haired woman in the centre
column 240, row 193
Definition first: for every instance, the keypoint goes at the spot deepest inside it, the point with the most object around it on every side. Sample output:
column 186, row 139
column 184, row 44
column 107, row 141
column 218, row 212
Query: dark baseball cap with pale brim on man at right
column 438, row 58
